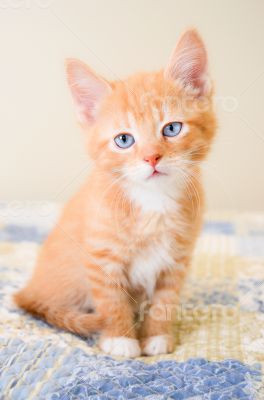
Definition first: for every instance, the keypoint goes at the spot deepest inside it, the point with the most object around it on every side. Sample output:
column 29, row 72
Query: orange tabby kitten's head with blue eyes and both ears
column 152, row 127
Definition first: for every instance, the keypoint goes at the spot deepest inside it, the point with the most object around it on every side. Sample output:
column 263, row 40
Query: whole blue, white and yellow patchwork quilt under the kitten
column 219, row 329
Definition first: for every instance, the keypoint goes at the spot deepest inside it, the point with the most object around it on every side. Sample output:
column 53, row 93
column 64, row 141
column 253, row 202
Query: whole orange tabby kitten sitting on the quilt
column 123, row 243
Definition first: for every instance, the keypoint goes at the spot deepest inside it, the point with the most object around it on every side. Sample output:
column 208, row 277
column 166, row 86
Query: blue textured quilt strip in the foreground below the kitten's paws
column 79, row 375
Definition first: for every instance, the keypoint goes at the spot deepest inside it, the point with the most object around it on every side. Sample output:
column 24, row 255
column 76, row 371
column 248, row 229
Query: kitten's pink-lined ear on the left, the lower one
column 88, row 90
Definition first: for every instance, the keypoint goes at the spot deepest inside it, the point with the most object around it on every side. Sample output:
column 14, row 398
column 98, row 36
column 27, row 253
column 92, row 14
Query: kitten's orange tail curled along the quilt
column 71, row 320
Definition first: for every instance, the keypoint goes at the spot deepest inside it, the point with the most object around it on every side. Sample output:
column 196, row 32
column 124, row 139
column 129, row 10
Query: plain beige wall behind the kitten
column 42, row 155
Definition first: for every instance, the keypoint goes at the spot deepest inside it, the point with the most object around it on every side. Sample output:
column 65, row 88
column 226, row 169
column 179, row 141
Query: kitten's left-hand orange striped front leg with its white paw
column 112, row 301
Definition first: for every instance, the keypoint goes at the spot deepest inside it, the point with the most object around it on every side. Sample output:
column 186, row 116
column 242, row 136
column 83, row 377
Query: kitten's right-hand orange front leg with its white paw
column 156, row 332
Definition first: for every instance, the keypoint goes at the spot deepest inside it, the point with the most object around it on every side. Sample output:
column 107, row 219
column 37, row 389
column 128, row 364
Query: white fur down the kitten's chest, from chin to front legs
column 160, row 211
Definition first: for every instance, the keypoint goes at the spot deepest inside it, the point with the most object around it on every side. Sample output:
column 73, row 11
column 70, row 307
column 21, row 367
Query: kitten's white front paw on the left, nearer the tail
column 120, row 346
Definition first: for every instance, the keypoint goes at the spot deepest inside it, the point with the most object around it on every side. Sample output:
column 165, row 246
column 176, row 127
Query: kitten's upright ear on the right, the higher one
column 188, row 63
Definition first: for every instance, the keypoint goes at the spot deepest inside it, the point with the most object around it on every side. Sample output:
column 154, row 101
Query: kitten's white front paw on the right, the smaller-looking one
column 155, row 345
